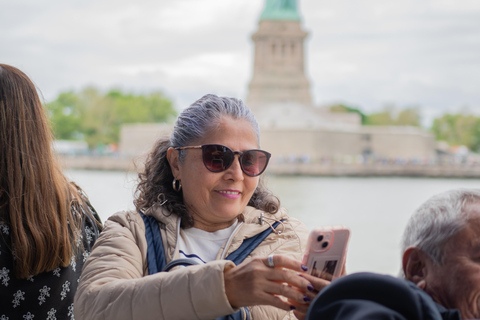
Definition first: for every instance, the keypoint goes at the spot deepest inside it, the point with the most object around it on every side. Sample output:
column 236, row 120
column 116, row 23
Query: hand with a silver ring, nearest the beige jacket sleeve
column 254, row 282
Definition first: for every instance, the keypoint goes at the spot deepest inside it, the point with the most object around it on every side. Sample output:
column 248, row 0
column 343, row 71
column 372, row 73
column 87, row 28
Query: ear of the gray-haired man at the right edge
column 414, row 264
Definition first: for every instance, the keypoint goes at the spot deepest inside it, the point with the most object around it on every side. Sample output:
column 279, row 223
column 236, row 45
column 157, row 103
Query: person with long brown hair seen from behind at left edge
column 47, row 225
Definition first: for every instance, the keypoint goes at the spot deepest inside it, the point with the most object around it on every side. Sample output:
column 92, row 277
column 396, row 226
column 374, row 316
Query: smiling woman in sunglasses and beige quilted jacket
column 200, row 202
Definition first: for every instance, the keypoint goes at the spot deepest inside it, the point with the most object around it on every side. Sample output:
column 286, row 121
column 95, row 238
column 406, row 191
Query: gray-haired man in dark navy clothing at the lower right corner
column 441, row 263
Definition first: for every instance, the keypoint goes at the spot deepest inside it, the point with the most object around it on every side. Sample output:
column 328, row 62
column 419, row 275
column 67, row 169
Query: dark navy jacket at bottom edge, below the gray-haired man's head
column 376, row 297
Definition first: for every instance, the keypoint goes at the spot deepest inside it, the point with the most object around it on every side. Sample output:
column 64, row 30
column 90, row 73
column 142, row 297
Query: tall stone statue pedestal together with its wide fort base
column 292, row 128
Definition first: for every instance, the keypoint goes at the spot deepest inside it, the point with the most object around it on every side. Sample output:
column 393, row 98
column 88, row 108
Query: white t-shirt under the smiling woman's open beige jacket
column 203, row 246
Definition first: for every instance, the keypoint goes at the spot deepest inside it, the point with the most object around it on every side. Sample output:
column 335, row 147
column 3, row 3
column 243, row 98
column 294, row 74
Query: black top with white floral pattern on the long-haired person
column 47, row 295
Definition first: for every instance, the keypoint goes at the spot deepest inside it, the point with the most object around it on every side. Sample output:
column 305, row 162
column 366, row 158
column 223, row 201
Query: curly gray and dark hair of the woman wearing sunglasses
column 155, row 182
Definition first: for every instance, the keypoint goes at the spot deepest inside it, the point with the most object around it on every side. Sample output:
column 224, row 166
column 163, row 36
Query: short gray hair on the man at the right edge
column 438, row 219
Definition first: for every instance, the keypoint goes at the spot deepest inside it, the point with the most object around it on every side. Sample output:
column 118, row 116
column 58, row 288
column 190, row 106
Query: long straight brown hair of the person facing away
column 35, row 197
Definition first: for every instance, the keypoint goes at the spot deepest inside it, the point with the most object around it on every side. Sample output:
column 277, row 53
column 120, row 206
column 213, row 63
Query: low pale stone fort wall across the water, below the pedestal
column 307, row 144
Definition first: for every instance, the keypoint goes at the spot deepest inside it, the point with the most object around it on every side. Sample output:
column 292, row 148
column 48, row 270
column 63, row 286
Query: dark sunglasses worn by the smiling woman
column 218, row 158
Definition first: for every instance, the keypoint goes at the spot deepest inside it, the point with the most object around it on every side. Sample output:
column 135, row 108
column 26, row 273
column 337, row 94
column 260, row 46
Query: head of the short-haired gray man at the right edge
column 441, row 246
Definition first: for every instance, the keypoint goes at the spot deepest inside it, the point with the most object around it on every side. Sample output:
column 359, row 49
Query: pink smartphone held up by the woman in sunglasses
column 326, row 251
